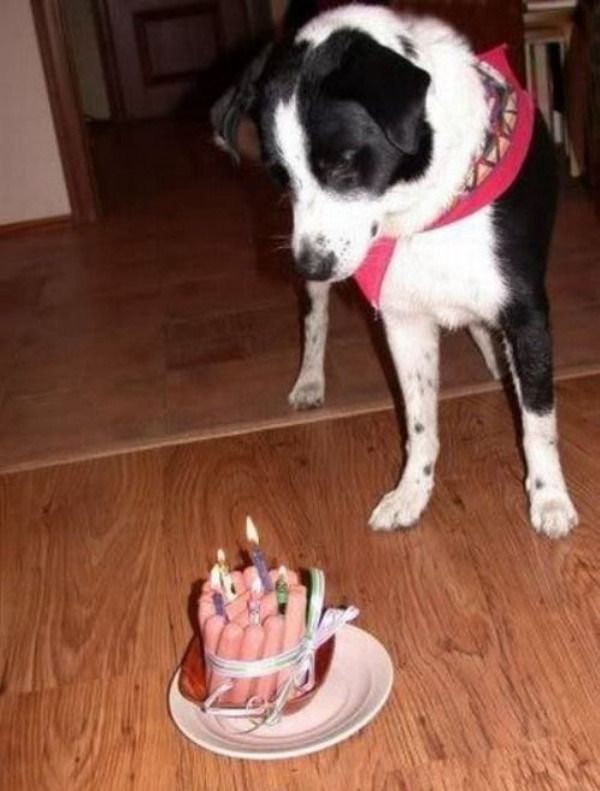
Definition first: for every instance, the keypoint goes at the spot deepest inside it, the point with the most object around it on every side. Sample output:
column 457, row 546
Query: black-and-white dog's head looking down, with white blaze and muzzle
column 342, row 121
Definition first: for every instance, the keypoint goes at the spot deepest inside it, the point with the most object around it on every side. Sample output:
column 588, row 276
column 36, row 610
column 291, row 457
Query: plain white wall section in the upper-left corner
column 32, row 184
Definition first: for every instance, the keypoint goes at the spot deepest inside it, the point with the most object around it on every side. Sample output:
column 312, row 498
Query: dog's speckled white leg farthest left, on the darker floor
column 309, row 390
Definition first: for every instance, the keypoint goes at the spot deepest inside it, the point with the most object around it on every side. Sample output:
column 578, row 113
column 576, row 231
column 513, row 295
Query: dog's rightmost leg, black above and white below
column 530, row 356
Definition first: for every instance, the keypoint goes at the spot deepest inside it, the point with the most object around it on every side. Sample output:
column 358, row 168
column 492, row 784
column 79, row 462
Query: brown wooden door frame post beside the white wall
column 66, row 110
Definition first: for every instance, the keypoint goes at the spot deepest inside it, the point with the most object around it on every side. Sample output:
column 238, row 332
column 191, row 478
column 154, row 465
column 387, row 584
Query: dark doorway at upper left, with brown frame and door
column 132, row 80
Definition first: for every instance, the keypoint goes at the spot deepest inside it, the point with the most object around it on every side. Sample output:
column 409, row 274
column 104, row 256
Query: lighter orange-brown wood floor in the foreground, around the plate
column 494, row 632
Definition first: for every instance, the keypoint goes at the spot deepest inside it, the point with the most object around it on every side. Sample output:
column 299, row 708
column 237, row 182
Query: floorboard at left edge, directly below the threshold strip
column 83, row 573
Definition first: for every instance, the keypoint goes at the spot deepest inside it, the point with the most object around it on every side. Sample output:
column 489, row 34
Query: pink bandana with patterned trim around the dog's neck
column 510, row 128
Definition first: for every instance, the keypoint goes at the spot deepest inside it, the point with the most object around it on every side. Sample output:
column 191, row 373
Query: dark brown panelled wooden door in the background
column 163, row 49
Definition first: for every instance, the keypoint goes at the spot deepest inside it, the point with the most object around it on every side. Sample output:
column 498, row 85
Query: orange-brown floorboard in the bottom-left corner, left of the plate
column 108, row 733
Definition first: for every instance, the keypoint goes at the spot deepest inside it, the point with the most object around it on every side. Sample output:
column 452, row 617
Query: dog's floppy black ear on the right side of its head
column 390, row 88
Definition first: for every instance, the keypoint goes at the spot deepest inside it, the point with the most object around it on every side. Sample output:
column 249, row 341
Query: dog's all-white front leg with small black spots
column 414, row 344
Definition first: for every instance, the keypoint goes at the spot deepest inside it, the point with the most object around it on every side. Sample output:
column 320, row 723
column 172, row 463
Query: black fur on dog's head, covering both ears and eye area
column 361, row 138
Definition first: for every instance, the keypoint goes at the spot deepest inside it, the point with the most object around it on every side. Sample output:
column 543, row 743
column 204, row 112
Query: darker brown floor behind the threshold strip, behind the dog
column 176, row 317
